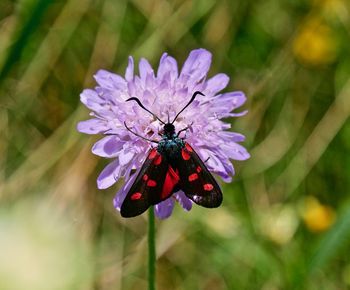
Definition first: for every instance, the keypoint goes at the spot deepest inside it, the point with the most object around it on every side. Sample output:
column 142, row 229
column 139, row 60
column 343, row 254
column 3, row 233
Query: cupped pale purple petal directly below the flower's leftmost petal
column 108, row 147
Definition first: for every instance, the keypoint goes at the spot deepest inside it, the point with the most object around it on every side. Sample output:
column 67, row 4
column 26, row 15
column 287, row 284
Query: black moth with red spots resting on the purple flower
column 171, row 166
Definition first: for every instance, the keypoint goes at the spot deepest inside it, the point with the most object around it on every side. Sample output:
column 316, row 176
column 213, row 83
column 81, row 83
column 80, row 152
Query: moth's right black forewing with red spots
column 195, row 179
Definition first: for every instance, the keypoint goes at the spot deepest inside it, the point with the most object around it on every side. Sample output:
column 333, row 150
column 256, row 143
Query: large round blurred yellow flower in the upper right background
column 315, row 43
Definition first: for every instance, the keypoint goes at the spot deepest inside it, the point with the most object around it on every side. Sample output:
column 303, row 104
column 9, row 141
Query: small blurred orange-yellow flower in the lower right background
column 317, row 217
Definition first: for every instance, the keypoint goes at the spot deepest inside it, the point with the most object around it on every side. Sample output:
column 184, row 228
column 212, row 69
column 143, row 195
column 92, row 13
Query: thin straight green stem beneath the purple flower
column 151, row 250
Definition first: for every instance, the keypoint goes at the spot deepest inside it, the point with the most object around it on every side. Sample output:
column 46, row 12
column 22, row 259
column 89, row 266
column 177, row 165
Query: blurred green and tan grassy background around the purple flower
column 285, row 220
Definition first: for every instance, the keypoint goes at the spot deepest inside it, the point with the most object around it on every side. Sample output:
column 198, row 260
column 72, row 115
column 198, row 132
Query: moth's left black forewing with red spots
column 148, row 187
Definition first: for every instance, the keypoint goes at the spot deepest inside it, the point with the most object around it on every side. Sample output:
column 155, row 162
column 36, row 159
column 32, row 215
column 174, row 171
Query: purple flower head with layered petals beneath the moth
column 164, row 93
